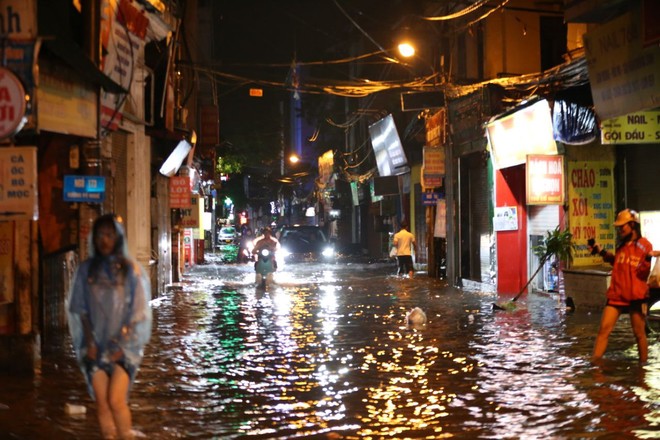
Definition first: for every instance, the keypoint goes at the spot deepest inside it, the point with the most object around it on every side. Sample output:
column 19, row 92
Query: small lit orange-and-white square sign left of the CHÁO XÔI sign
column 545, row 180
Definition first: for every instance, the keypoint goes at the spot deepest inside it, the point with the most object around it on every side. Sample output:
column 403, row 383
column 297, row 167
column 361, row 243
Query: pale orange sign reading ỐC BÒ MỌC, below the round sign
column 18, row 183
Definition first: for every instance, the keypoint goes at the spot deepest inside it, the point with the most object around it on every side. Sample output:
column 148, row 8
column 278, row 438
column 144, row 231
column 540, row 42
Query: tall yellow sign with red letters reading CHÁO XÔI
column 591, row 208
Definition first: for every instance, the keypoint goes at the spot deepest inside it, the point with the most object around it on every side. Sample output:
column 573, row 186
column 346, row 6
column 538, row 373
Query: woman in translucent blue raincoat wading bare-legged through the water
column 110, row 323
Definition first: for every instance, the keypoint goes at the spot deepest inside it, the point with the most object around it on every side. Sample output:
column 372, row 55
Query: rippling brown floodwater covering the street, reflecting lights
column 325, row 352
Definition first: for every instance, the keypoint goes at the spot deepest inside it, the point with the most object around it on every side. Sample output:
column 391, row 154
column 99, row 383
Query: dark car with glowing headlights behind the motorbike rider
column 305, row 243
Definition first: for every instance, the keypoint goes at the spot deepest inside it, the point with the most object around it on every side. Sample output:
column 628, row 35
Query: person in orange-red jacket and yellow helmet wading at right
column 628, row 291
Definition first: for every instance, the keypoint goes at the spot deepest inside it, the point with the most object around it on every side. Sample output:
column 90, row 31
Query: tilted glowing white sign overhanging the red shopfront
column 527, row 131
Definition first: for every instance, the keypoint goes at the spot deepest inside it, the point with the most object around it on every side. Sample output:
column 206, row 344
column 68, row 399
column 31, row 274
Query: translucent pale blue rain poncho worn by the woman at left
column 114, row 292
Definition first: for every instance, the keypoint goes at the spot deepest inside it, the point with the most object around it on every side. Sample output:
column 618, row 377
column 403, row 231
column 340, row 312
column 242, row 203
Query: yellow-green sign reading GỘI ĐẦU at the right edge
column 634, row 128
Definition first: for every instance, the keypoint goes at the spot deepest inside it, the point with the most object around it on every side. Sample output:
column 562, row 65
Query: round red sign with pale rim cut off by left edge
column 12, row 103
